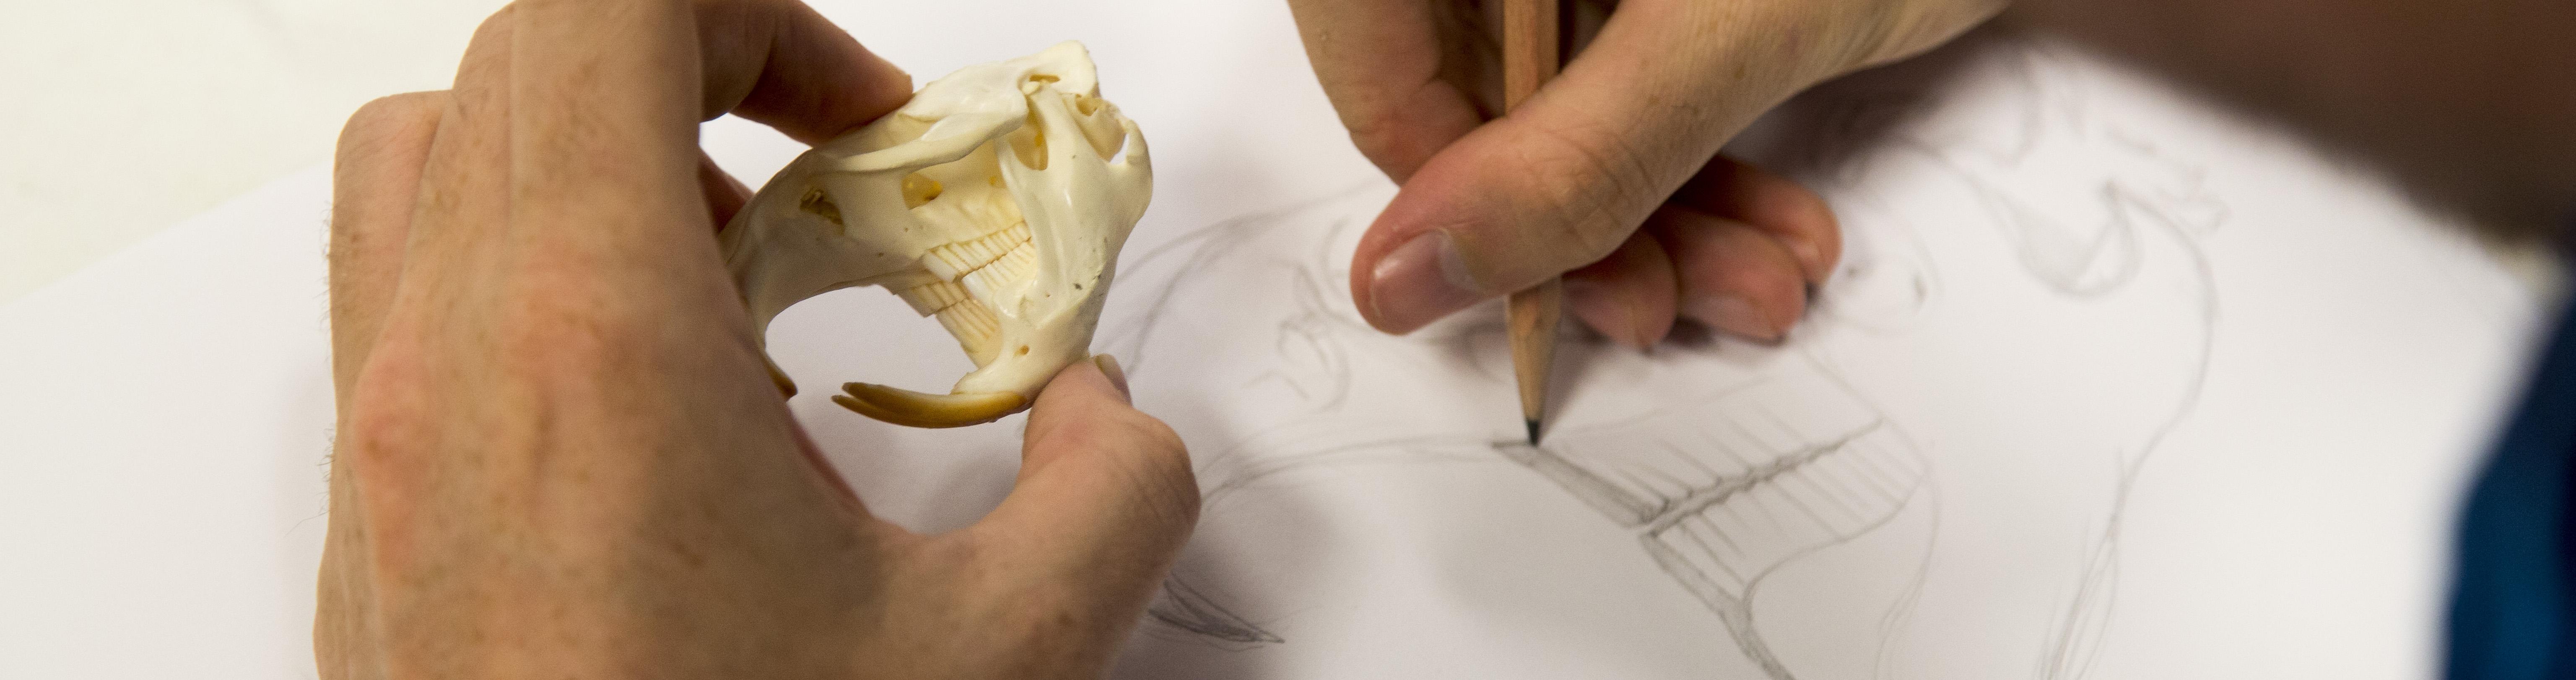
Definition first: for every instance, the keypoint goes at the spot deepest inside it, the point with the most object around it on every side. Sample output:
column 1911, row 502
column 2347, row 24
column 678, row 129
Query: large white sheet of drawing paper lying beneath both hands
column 2111, row 385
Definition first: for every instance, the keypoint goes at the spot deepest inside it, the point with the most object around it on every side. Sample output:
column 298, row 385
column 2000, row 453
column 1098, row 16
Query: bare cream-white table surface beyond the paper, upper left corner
column 125, row 117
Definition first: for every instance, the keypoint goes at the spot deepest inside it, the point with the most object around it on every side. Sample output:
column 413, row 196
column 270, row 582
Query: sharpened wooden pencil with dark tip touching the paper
column 1529, row 61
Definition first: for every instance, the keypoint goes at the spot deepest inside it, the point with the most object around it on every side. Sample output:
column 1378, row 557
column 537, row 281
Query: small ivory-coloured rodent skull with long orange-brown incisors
column 988, row 200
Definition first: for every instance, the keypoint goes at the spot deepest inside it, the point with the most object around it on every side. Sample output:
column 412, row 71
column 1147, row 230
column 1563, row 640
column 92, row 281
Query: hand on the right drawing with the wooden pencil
column 1627, row 135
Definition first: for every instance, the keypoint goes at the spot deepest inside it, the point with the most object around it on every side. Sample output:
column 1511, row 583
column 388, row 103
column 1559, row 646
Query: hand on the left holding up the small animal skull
column 558, row 449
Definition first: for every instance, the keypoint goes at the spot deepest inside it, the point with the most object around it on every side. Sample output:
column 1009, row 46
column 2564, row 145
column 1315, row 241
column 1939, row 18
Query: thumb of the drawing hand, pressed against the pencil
column 1567, row 176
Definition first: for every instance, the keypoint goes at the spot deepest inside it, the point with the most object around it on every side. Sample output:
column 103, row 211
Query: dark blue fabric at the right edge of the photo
column 2510, row 596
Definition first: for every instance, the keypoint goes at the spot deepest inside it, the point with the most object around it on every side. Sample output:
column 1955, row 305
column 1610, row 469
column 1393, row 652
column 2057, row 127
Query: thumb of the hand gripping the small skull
column 1106, row 496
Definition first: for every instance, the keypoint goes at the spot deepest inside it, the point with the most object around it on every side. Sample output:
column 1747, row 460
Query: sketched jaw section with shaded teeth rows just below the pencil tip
column 1756, row 480
